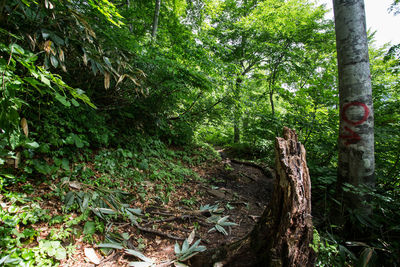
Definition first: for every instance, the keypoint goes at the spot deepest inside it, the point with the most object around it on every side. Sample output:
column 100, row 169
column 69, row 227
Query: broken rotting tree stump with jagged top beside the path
column 284, row 232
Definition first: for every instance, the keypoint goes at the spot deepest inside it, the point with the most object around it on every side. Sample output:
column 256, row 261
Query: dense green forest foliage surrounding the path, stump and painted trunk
column 86, row 81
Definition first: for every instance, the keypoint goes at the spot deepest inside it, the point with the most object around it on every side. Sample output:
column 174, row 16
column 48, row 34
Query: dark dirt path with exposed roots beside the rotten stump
column 235, row 189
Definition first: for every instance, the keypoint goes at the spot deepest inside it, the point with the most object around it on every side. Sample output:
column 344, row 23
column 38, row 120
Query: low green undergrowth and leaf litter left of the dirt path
column 95, row 187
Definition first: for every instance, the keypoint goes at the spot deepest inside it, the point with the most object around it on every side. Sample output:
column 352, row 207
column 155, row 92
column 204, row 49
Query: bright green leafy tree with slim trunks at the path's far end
column 269, row 35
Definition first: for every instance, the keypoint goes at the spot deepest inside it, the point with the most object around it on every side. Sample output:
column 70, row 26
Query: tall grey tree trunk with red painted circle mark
column 356, row 129
